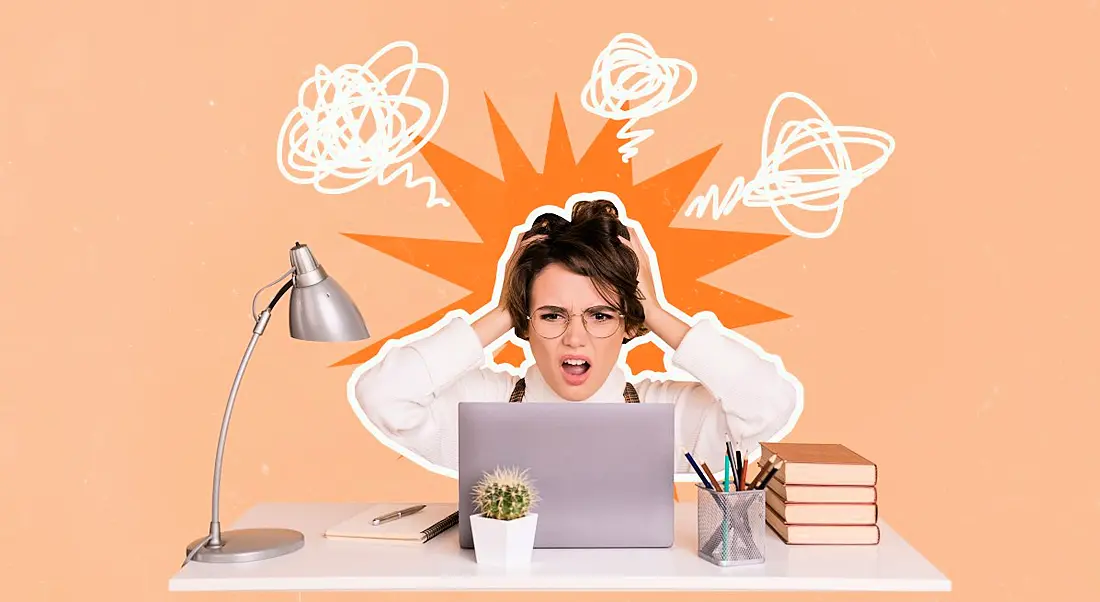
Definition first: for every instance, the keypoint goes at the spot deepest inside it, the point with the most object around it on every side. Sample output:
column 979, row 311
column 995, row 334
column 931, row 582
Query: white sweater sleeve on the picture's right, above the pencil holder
column 739, row 393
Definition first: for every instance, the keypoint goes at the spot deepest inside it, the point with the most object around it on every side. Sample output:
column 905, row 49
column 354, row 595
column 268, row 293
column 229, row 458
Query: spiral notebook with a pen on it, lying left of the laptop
column 422, row 527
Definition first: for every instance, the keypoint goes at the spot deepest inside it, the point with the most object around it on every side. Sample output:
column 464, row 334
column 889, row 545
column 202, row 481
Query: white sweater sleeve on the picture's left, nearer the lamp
column 412, row 395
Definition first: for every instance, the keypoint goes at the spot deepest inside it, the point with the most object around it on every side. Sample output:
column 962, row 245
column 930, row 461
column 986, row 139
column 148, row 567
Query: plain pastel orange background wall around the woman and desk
column 948, row 331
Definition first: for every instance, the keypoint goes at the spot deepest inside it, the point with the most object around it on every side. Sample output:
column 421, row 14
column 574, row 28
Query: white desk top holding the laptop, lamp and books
column 332, row 565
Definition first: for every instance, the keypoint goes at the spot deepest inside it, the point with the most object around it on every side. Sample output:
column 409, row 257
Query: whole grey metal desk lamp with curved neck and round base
column 321, row 311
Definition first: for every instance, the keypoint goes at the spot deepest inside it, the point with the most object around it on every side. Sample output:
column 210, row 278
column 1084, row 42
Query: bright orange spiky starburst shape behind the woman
column 494, row 206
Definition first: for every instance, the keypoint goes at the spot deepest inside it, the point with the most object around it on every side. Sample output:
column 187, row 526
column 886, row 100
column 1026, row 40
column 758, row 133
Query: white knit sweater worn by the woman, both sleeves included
column 412, row 396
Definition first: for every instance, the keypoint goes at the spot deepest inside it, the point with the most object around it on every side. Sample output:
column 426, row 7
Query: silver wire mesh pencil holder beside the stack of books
column 731, row 527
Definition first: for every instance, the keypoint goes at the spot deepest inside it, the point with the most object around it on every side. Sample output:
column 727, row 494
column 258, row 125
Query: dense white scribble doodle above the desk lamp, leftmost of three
column 324, row 139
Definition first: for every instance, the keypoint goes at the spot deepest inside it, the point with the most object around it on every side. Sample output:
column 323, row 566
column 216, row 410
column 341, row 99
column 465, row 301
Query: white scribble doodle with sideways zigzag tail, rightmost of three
column 776, row 188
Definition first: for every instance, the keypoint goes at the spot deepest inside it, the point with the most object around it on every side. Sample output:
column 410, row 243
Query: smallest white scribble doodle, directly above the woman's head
column 630, row 71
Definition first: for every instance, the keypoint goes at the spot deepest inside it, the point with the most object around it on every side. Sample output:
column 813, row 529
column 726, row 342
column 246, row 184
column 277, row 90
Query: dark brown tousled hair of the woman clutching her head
column 588, row 246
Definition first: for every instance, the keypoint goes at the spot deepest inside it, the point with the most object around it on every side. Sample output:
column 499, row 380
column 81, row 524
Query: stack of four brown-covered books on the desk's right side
column 821, row 495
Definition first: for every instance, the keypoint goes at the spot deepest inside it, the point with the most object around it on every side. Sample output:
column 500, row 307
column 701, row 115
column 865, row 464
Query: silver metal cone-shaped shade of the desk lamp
column 321, row 309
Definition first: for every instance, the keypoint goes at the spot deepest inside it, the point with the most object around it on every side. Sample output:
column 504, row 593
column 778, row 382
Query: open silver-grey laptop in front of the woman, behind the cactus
column 604, row 473
